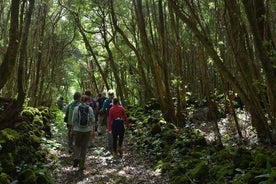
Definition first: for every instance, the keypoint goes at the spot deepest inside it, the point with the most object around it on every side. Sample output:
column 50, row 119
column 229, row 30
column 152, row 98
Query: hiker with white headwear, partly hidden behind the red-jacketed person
column 105, row 110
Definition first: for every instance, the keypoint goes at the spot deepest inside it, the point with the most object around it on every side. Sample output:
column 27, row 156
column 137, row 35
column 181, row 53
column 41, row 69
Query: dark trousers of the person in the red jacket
column 118, row 130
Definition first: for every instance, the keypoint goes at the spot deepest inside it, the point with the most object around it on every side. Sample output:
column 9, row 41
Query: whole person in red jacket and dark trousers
column 116, row 120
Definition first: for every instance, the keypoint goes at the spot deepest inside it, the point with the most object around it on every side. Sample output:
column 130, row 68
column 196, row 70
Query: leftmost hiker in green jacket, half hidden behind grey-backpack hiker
column 68, row 118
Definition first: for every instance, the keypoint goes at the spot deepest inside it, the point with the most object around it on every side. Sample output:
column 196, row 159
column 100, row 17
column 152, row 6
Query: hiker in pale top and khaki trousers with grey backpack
column 83, row 128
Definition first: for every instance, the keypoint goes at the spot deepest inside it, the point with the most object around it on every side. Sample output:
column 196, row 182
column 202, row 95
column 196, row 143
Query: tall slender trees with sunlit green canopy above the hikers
column 176, row 51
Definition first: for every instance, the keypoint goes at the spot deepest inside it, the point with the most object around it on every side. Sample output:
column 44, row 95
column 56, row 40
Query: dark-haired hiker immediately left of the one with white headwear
column 102, row 125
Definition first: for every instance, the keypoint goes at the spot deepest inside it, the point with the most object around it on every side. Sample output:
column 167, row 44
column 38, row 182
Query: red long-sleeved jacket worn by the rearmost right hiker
column 117, row 111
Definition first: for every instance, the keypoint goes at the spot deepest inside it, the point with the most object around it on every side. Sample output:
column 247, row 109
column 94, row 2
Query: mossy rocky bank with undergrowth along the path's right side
column 186, row 156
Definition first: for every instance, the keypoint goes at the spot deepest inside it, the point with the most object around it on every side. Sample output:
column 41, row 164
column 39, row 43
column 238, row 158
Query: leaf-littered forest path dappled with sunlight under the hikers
column 102, row 168
